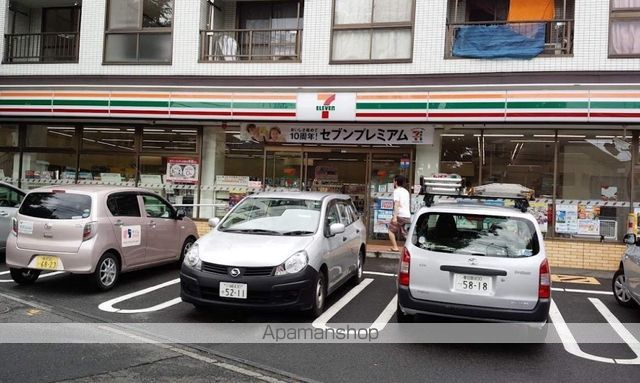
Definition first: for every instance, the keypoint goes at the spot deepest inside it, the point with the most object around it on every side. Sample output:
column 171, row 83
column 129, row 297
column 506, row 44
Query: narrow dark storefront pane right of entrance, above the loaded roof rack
column 460, row 154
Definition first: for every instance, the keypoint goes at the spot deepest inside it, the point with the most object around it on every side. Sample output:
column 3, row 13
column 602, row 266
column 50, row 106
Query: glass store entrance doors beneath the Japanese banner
column 365, row 174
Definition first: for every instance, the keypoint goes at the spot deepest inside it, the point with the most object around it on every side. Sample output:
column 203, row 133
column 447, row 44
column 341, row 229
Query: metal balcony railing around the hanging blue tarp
column 558, row 39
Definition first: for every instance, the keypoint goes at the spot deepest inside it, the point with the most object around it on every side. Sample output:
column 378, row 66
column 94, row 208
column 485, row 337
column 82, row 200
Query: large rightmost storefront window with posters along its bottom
column 592, row 166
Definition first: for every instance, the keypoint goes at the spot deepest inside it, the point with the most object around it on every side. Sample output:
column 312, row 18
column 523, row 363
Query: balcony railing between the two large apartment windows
column 239, row 45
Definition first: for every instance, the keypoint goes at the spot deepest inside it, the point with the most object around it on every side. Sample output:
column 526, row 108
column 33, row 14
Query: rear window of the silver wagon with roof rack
column 479, row 235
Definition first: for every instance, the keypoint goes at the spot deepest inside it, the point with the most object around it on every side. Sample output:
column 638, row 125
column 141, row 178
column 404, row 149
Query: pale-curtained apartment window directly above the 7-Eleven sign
column 372, row 31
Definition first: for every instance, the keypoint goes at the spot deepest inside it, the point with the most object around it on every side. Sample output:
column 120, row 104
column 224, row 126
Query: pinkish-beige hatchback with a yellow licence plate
column 98, row 230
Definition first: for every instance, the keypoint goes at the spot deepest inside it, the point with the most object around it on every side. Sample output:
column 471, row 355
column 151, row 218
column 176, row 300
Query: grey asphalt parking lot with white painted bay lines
column 152, row 296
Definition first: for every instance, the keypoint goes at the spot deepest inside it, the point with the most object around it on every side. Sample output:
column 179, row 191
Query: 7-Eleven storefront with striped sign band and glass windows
column 576, row 146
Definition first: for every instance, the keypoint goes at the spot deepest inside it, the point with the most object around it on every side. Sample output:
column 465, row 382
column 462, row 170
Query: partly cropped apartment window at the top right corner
column 624, row 28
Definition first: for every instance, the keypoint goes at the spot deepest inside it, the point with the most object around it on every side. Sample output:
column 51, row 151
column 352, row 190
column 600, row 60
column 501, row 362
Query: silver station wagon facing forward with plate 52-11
column 277, row 250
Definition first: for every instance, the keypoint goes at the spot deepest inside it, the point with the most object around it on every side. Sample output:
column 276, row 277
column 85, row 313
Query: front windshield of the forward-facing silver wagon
column 274, row 216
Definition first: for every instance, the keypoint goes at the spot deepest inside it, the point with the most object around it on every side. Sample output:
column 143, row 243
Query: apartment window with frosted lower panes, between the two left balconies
column 139, row 31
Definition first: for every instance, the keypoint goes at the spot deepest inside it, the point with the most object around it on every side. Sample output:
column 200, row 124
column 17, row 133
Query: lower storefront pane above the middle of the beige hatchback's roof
column 113, row 169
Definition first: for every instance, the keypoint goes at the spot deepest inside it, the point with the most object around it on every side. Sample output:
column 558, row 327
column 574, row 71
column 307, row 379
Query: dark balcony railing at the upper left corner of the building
column 41, row 47
